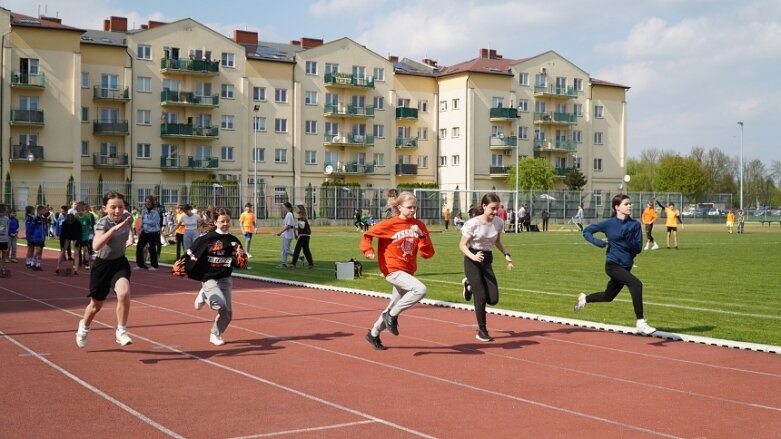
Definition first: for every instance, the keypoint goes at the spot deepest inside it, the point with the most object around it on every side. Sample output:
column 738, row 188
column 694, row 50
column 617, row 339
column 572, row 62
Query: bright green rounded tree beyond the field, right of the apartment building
column 679, row 174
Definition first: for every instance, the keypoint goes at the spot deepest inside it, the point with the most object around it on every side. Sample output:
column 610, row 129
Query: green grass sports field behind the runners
column 716, row 285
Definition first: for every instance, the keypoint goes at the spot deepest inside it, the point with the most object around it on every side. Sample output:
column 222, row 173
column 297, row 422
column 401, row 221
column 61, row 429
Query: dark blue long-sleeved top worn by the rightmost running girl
column 624, row 239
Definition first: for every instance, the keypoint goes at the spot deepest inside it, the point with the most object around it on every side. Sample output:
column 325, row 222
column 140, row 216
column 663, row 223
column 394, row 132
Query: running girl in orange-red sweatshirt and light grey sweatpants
column 399, row 238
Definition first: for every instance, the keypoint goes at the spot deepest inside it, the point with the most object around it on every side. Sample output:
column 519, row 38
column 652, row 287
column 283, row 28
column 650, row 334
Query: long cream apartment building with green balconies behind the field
column 171, row 103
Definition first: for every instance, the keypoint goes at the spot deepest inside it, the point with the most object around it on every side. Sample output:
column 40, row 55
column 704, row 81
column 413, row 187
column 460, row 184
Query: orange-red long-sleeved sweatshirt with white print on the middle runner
column 398, row 244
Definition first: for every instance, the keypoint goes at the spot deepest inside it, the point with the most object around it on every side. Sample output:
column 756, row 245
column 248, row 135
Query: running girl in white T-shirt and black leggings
column 479, row 236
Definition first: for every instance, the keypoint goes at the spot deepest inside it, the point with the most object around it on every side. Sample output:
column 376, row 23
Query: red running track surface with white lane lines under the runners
column 296, row 364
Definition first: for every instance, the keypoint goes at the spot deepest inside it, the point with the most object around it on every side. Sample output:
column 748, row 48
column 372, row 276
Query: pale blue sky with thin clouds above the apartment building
column 695, row 68
